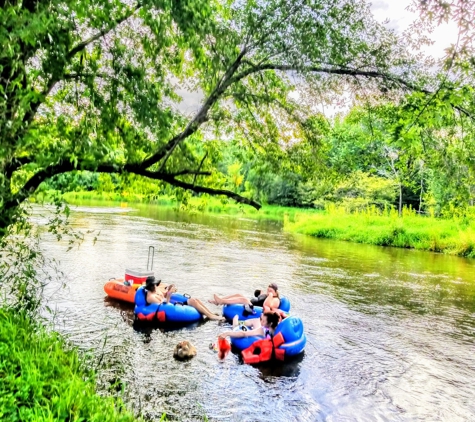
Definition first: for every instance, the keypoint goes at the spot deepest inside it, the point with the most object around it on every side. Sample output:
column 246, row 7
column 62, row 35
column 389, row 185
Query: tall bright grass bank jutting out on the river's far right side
column 455, row 236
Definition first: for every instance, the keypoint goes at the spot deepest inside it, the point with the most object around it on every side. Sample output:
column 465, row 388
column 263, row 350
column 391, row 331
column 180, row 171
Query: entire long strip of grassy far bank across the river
column 453, row 236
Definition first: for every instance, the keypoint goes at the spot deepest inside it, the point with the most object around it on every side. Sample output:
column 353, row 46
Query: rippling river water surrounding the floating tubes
column 390, row 332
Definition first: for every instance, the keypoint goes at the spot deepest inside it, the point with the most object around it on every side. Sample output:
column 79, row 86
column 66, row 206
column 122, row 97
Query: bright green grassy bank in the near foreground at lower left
column 43, row 379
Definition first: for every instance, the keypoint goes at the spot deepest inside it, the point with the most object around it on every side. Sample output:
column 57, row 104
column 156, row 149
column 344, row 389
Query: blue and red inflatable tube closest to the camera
column 289, row 340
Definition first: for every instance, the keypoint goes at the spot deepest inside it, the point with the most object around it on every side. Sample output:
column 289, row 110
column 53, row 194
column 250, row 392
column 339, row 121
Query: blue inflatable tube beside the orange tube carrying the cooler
column 174, row 312
